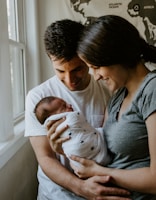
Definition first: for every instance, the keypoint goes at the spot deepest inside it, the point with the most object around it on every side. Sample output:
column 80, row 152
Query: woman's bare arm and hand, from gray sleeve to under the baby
column 140, row 179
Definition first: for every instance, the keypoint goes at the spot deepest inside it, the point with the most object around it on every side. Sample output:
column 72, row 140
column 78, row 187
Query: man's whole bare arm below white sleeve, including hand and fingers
column 89, row 188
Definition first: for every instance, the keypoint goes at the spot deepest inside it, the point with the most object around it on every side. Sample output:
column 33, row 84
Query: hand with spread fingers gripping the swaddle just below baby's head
column 54, row 135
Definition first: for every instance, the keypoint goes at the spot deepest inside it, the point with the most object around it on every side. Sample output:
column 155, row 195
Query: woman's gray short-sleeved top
column 127, row 137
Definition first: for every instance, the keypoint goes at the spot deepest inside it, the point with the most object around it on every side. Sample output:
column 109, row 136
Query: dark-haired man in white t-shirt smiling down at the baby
column 73, row 83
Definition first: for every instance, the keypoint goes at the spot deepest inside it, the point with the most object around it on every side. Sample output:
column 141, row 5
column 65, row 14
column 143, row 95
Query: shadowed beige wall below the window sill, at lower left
column 18, row 177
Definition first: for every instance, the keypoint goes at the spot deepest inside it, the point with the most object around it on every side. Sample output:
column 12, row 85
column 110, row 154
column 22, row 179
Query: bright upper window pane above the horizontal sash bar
column 12, row 19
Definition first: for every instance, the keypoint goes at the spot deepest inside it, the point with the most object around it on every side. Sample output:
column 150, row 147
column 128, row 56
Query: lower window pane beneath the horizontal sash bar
column 17, row 80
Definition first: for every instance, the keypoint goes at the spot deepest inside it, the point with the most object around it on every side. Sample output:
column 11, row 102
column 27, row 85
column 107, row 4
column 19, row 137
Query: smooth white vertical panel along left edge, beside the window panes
column 5, row 82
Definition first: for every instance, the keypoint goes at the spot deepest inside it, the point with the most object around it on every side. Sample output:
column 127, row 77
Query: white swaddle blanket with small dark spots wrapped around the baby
column 86, row 141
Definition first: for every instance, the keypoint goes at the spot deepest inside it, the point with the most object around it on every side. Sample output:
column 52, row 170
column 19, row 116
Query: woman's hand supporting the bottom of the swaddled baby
column 86, row 169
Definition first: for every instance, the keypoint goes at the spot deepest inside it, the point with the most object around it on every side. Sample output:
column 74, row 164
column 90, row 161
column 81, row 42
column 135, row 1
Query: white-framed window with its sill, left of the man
column 19, row 70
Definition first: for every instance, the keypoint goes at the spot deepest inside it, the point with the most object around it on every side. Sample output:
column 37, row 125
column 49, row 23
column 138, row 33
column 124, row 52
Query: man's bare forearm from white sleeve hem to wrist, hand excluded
column 49, row 163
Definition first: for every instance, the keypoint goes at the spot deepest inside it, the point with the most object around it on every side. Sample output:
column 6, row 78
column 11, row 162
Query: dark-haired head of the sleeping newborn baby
column 49, row 106
